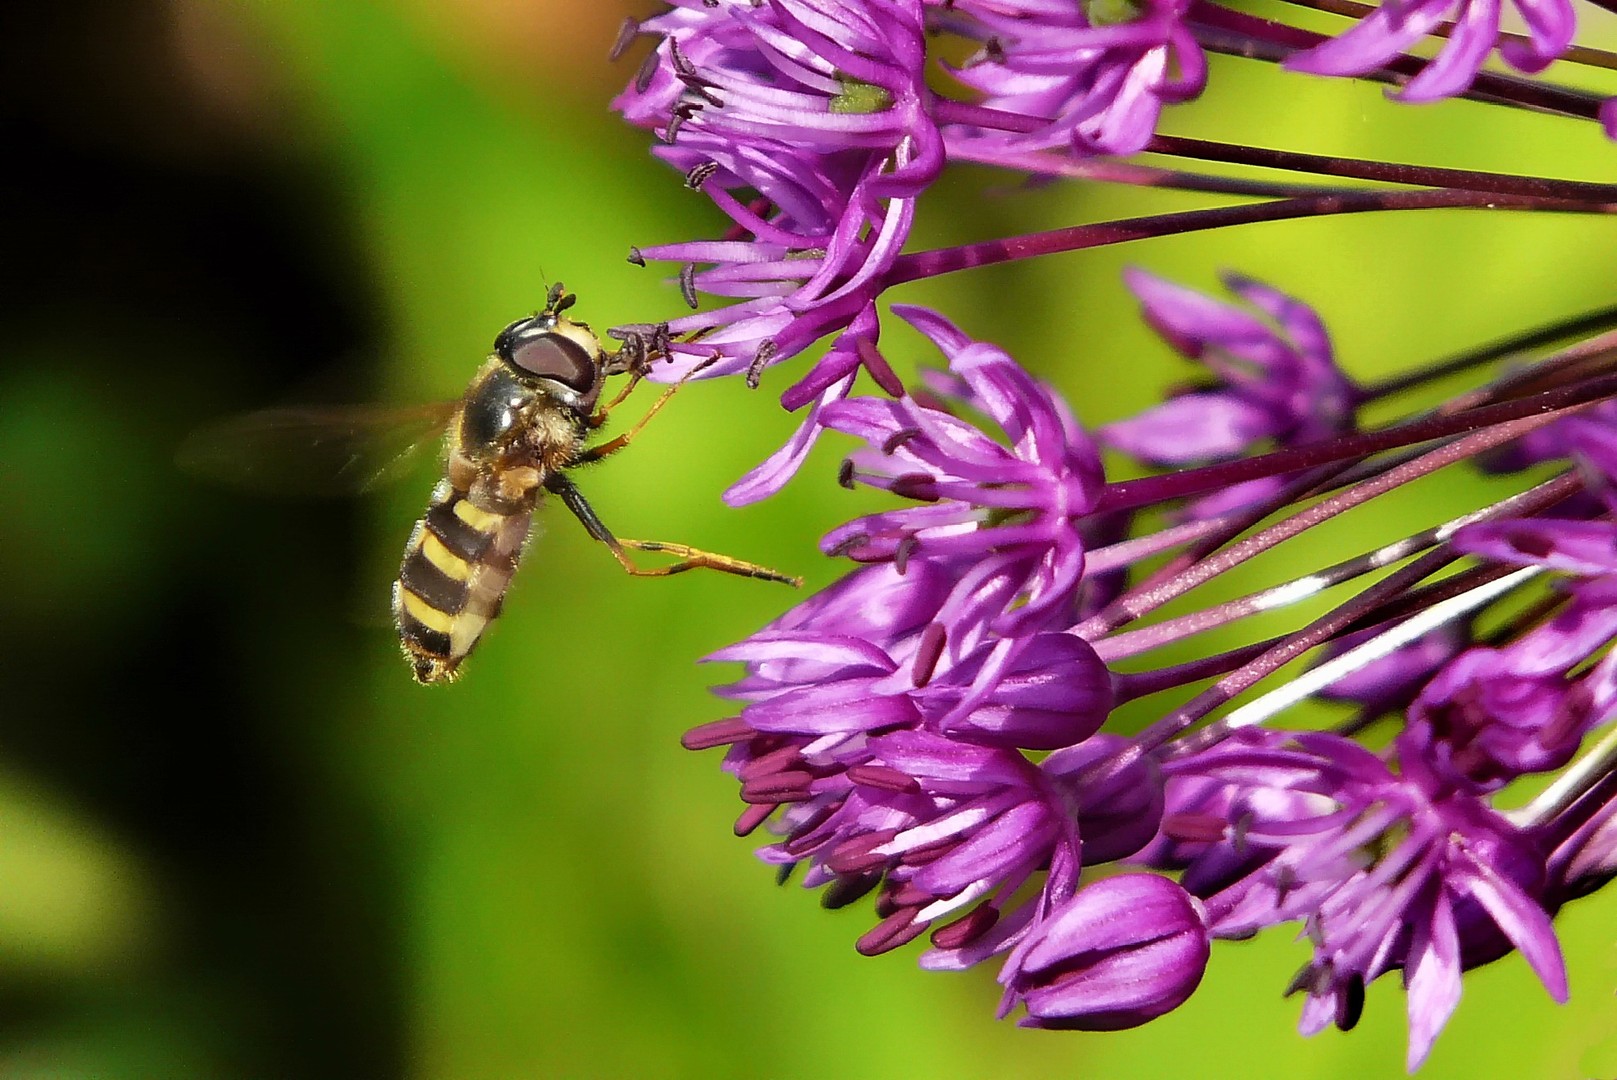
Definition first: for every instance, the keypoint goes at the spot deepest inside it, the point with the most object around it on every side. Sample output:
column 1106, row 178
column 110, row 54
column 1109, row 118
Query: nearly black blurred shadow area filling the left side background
column 169, row 261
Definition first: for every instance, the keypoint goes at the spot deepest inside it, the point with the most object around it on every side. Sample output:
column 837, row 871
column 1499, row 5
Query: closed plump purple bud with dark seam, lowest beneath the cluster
column 1120, row 953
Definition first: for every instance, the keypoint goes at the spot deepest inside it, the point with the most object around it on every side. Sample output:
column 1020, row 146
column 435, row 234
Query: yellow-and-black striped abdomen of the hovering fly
column 455, row 575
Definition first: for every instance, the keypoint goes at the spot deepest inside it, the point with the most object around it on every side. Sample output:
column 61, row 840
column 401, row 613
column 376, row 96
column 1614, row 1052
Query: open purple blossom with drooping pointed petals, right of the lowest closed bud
column 1385, row 872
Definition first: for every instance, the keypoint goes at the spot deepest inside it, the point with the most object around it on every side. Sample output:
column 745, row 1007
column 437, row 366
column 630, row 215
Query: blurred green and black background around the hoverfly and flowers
column 237, row 842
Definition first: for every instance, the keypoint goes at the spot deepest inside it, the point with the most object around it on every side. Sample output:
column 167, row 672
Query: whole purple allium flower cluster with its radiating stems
column 945, row 730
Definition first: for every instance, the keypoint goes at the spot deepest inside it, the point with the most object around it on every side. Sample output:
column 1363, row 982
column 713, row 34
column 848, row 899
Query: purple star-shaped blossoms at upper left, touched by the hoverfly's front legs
column 809, row 124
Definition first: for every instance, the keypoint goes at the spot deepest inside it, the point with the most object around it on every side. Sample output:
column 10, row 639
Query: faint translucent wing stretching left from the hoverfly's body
column 331, row 452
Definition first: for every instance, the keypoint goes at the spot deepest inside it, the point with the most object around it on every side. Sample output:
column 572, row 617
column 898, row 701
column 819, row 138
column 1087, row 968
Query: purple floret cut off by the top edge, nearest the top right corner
column 1383, row 35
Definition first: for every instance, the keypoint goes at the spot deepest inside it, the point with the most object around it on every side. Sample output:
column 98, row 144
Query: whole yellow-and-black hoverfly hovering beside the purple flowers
column 517, row 432
